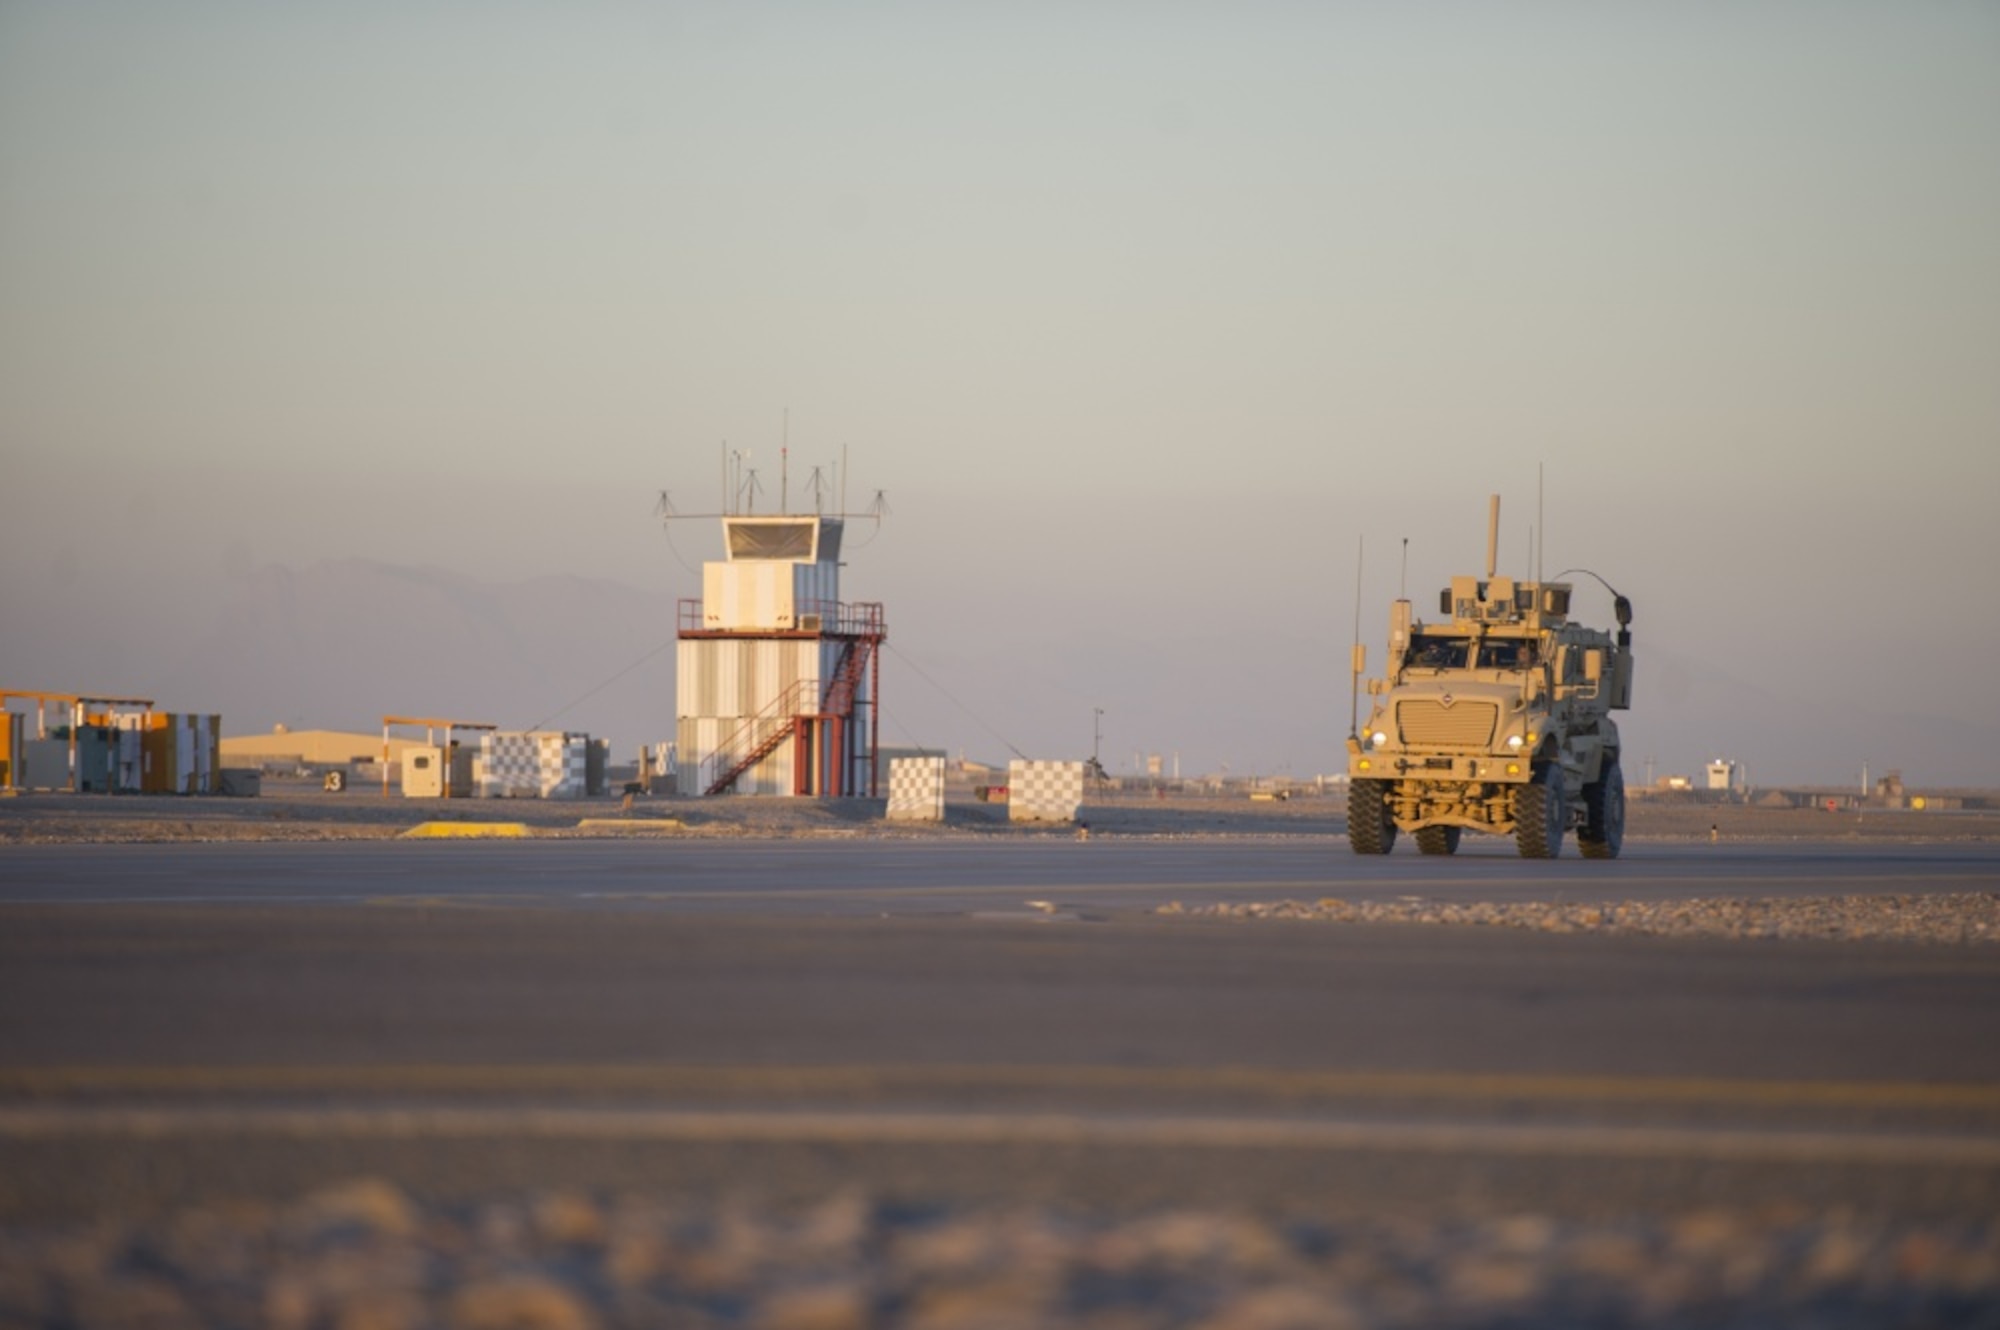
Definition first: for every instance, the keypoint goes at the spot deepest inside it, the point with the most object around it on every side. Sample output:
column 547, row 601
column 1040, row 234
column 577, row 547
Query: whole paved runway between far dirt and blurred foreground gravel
column 977, row 1021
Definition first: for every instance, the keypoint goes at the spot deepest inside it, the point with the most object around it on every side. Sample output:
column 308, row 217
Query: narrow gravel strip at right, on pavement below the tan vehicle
column 1965, row 917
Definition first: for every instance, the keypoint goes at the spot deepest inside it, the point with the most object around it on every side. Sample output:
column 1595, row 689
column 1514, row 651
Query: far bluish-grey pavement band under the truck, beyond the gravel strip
column 929, row 877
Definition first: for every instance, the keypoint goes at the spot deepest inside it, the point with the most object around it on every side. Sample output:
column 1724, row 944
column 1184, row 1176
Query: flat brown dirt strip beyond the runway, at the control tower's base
column 301, row 811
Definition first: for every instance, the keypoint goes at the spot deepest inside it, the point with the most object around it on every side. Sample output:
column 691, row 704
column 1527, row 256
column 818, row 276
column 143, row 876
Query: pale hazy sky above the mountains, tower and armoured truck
column 1149, row 321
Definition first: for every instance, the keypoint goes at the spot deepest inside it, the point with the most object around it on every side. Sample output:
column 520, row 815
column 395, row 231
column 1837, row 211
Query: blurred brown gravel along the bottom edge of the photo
column 369, row 1257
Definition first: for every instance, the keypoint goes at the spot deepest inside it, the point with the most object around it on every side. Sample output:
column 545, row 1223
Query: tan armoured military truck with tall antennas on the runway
column 1497, row 719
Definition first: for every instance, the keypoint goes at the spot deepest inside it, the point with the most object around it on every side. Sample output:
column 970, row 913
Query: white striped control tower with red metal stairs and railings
column 777, row 687
